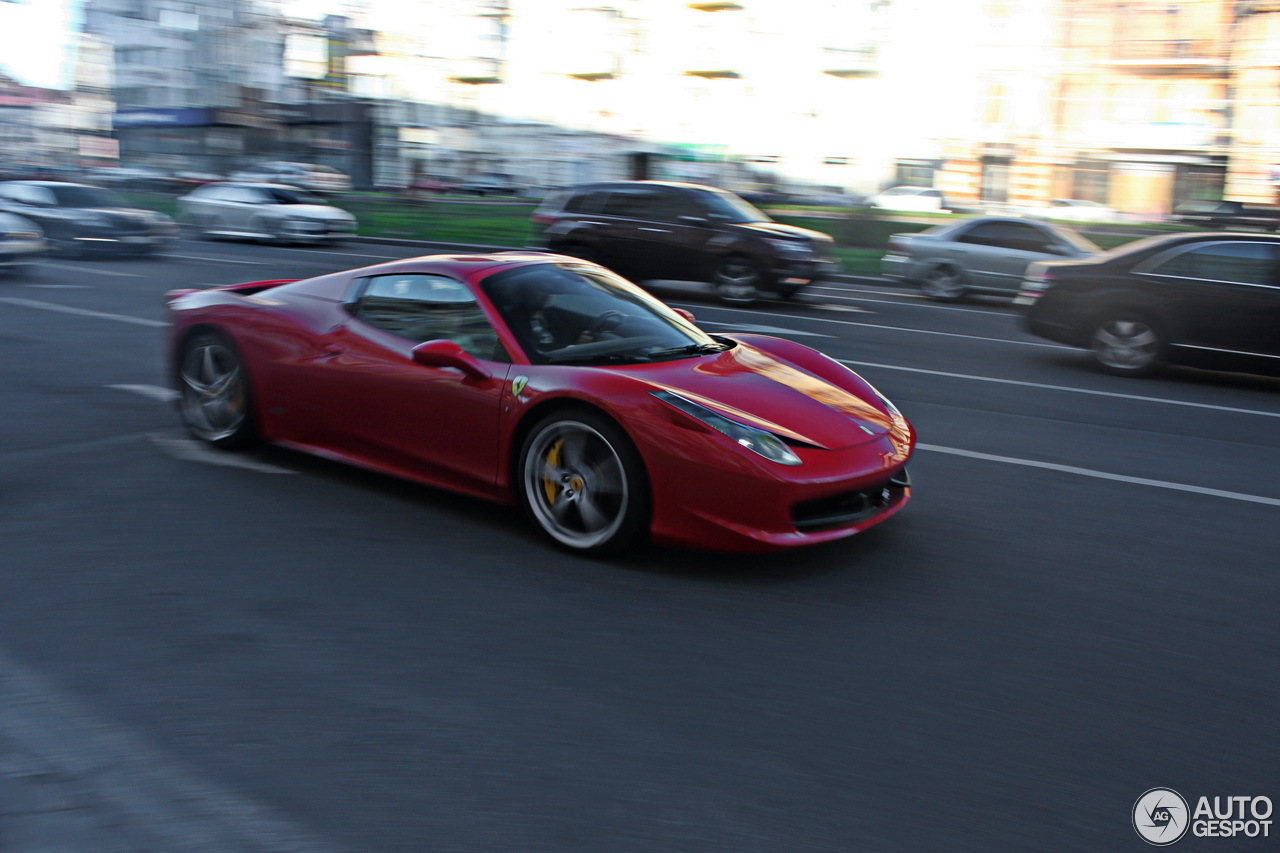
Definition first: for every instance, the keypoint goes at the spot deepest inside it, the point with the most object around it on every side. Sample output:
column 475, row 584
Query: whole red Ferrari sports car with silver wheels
column 547, row 381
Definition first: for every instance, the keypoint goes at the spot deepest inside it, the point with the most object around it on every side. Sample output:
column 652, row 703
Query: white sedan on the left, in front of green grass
column 264, row 212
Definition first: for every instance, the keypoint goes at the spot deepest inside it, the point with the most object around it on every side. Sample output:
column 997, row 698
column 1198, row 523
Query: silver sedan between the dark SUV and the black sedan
column 982, row 256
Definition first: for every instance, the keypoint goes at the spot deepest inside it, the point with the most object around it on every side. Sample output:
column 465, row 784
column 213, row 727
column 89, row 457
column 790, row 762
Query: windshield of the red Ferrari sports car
column 566, row 313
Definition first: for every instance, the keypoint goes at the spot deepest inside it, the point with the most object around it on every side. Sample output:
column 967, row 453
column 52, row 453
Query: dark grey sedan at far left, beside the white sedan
column 79, row 218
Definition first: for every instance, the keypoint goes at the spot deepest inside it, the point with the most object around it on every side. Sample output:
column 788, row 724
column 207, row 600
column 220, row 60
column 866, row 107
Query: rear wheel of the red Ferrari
column 214, row 396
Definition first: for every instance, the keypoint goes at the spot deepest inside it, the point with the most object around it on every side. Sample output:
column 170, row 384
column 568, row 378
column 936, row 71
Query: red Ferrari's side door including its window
column 383, row 407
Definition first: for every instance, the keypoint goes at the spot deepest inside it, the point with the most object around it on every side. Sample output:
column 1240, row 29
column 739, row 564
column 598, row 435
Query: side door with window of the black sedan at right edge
column 1226, row 297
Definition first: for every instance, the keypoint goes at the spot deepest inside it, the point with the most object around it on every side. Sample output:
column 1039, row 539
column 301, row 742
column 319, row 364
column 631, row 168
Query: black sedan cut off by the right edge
column 1201, row 300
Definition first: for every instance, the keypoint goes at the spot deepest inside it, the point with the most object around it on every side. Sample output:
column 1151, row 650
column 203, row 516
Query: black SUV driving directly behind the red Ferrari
column 652, row 230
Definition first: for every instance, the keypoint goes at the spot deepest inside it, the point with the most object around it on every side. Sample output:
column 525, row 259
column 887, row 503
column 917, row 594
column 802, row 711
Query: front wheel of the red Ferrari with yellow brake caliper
column 583, row 483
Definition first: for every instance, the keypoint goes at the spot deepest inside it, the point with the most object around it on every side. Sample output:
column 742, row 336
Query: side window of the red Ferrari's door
column 429, row 308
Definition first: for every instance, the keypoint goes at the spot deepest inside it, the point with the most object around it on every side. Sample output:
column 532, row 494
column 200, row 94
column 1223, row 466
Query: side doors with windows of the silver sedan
column 994, row 256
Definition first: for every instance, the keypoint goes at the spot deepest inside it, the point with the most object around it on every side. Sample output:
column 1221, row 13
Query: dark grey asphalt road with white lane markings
column 1078, row 606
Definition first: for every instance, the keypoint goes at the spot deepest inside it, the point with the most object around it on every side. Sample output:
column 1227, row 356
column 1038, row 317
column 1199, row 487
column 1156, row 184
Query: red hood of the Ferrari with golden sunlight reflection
column 751, row 386
